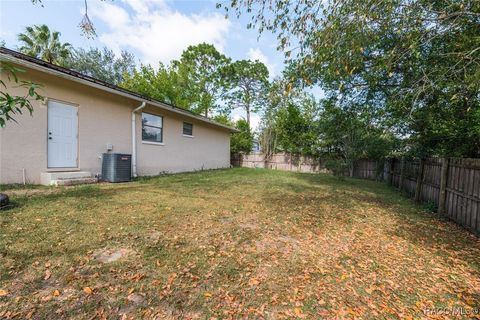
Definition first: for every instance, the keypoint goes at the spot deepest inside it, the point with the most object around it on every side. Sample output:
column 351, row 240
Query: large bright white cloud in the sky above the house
column 155, row 30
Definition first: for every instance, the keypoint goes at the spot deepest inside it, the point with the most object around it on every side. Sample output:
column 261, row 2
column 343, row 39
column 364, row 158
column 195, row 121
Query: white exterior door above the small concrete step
column 62, row 135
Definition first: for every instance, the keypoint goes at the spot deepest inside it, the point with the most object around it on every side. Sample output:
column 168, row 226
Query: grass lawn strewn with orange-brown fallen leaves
column 238, row 243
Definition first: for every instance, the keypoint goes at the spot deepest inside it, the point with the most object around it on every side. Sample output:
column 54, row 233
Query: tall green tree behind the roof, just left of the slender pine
column 201, row 68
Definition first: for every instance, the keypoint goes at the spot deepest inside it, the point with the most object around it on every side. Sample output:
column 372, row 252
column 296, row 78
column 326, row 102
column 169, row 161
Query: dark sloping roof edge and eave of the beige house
column 41, row 65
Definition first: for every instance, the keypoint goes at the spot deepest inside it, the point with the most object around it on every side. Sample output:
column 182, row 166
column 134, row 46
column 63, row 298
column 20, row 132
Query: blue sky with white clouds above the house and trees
column 154, row 30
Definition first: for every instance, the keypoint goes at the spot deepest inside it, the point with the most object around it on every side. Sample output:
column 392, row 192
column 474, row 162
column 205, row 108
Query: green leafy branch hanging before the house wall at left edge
column 11, row 105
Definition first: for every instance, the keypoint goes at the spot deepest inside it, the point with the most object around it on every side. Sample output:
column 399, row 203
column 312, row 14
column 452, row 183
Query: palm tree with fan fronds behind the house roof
column 40, row 42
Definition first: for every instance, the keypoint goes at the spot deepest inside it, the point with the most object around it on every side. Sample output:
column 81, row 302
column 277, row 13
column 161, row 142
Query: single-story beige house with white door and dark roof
column 82, row 118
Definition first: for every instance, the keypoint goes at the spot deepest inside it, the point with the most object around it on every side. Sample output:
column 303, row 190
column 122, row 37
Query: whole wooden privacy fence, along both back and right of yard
column 451, row 185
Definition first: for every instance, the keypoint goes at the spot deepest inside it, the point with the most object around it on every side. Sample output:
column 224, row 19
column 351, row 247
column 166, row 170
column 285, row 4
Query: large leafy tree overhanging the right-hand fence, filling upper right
column 413, row 60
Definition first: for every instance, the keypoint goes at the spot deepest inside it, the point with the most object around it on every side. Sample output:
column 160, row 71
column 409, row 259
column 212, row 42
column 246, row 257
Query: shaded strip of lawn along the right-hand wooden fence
column 417, row 226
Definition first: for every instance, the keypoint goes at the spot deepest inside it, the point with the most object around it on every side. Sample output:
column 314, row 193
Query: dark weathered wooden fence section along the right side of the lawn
column 452, row 185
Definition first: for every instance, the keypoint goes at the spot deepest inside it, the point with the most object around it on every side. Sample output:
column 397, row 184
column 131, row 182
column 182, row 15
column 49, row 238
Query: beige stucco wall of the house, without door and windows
column 105, row 118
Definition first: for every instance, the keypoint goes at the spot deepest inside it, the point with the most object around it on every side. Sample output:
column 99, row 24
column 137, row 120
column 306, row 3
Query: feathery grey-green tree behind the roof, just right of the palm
column 102, row 64
